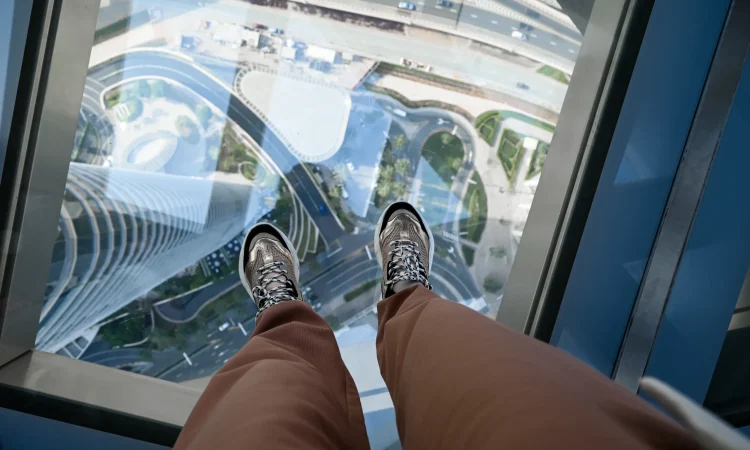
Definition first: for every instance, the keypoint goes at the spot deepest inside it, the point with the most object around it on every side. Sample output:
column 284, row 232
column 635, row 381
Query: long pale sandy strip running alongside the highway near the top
column 452, row 57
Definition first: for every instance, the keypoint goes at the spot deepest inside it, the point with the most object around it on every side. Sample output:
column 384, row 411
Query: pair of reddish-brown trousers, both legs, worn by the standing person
column 458, row 380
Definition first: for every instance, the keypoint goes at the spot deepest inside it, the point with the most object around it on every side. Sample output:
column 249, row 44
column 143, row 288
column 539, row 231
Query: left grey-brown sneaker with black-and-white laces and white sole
column 269, row 267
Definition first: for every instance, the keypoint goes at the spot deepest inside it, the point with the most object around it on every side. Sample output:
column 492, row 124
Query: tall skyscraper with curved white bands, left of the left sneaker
column 122, row 233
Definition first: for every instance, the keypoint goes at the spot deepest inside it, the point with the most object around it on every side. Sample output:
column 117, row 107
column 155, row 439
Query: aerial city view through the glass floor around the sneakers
column 201, row 118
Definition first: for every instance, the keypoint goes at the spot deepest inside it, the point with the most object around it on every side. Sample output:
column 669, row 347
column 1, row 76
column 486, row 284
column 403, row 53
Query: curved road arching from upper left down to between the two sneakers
column 136, row 64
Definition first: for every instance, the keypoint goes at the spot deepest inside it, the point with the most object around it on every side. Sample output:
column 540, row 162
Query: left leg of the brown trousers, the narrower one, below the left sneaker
column 287, row 388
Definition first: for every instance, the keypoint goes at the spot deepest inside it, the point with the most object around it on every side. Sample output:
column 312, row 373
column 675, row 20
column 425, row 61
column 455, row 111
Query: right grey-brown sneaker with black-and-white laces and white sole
column 404, row 247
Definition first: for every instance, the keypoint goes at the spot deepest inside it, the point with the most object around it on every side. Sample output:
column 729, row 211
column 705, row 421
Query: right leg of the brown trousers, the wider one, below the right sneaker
column 461, row 380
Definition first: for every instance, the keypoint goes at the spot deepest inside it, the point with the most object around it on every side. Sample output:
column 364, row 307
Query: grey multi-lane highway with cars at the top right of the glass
column 464, row 14
